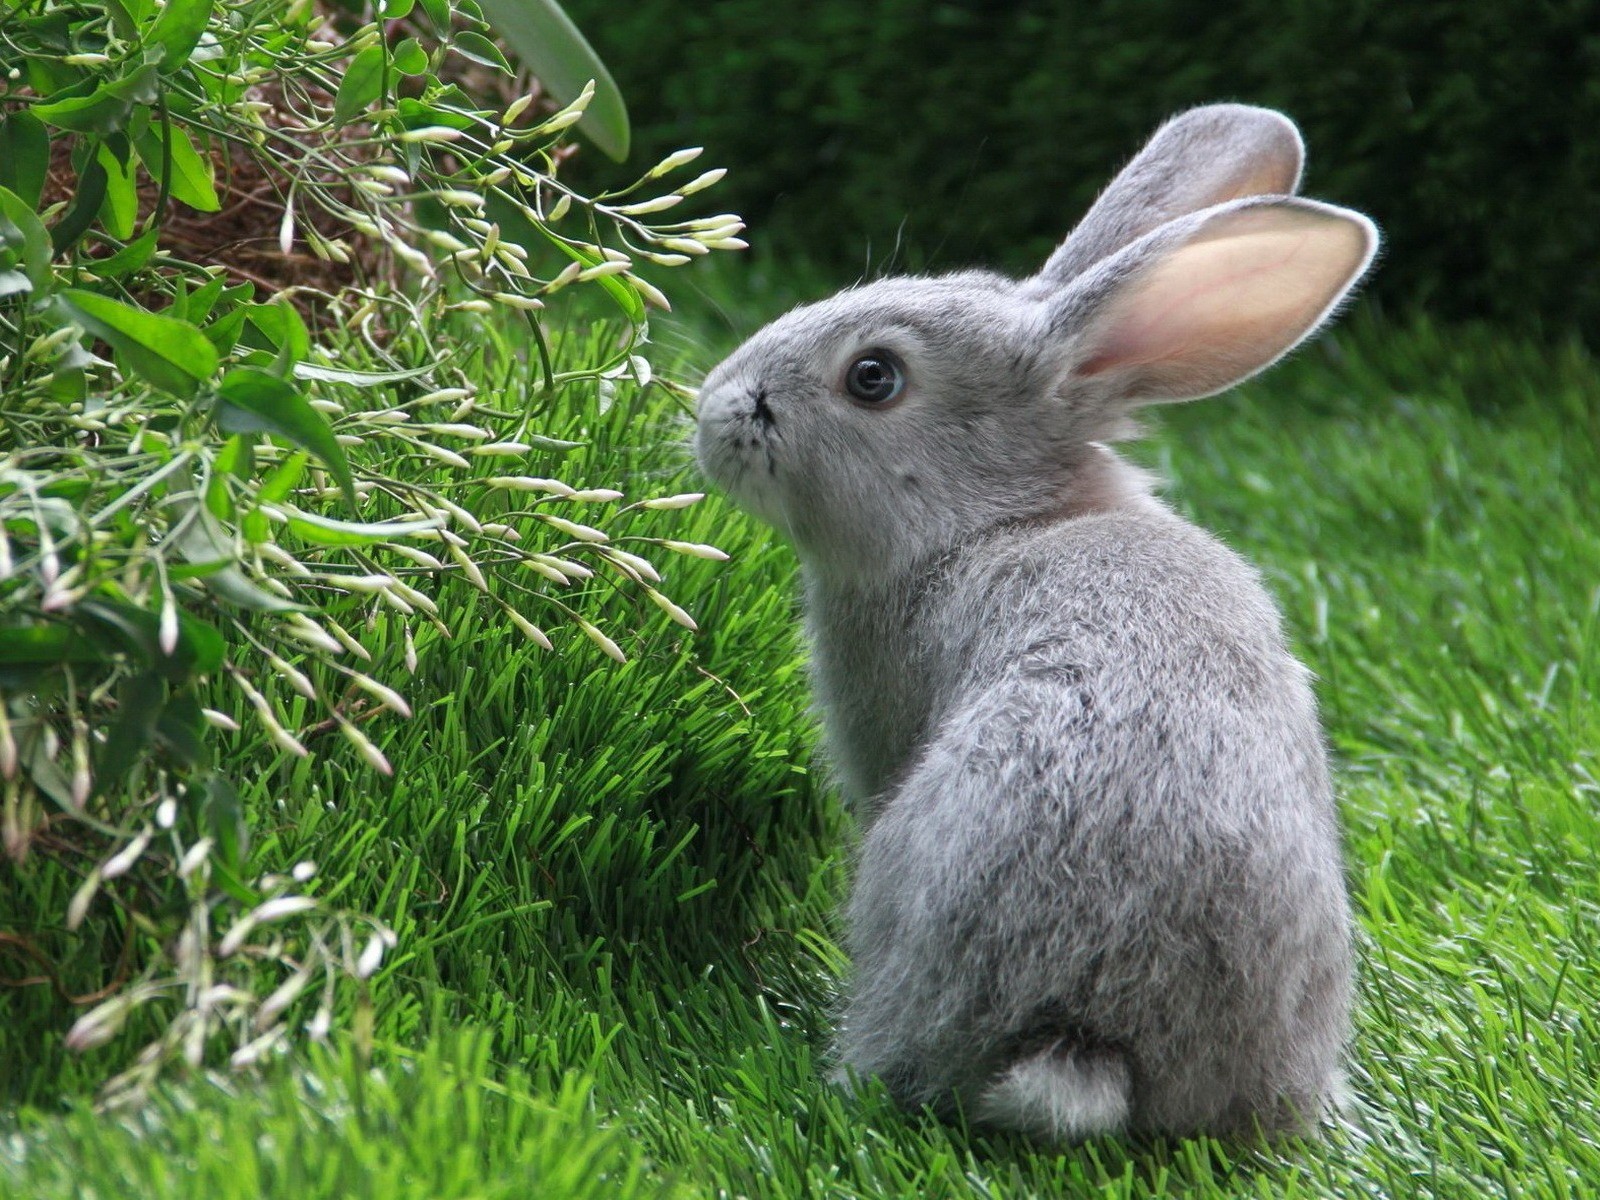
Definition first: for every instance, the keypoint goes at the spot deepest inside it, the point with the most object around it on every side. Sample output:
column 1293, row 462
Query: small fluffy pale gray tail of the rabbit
column 1062, row 1095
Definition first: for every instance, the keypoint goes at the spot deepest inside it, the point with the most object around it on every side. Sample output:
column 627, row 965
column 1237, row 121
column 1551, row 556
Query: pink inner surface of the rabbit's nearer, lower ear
column 1230, row 302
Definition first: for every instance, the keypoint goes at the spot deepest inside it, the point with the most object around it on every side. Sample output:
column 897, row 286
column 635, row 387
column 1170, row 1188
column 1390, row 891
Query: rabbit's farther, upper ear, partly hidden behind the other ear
column 1199, row 159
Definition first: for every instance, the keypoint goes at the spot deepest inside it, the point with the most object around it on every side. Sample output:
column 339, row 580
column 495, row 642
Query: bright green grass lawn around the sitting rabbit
column 615, row 887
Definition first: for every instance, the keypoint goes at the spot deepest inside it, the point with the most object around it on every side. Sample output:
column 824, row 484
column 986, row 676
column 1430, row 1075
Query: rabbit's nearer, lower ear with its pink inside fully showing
column 1214, row 298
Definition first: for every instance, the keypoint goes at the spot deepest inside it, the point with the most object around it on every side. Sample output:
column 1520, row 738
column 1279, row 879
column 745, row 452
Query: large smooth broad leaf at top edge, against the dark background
column 553, row 49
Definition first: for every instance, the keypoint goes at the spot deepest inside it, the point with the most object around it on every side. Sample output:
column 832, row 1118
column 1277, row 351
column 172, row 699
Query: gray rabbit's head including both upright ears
column 894, row 420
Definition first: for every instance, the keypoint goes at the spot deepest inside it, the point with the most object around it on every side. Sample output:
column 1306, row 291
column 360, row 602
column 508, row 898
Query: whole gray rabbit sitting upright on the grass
column 1100, row 886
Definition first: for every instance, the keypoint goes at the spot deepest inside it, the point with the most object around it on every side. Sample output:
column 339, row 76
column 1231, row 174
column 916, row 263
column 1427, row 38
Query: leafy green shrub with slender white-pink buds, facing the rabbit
column 212, row 500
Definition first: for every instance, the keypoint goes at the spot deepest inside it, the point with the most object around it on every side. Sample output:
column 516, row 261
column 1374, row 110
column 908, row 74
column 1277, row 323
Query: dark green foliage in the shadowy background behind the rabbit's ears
column 911, row 135
